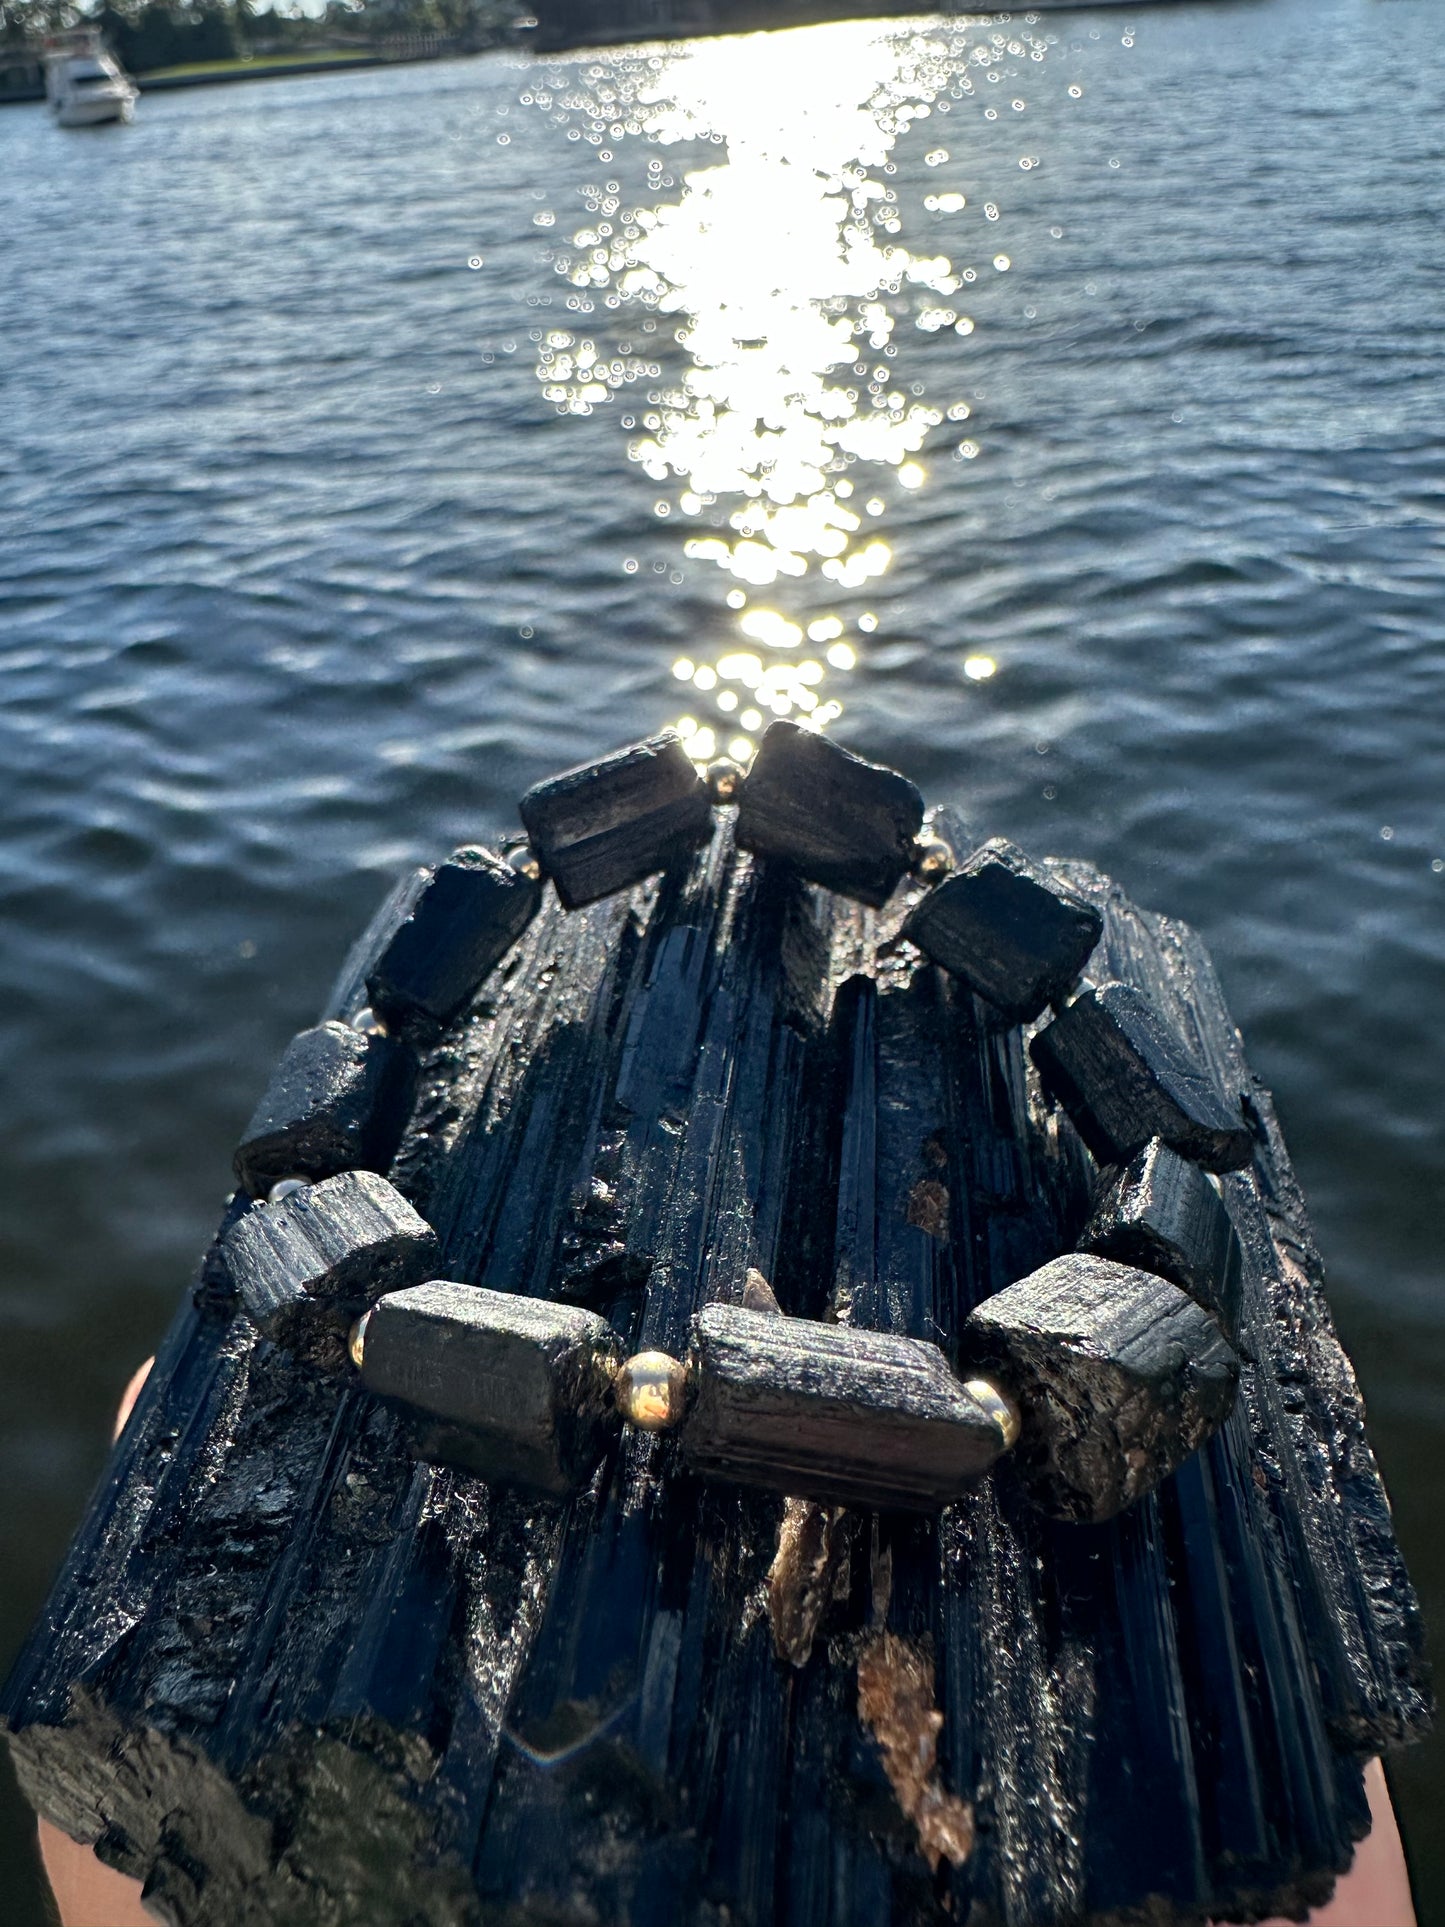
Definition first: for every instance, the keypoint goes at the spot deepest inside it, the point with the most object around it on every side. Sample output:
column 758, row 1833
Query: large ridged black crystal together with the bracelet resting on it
column 675, row 1238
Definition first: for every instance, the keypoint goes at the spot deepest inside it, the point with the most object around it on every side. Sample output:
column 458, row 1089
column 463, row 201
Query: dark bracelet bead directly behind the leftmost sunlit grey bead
column 336, row 1101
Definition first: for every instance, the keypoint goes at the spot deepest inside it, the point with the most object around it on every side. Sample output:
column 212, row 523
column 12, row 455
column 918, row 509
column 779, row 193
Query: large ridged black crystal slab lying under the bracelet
column 296, row 1674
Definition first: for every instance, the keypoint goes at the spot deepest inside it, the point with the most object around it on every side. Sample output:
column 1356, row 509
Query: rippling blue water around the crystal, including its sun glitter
column 1049, row 408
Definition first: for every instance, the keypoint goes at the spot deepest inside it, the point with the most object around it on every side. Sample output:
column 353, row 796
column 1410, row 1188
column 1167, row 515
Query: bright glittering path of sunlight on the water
column 785, row 280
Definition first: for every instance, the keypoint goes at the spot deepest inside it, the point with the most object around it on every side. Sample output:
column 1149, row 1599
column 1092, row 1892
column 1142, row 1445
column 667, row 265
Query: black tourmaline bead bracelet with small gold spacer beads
column 1101, row 1371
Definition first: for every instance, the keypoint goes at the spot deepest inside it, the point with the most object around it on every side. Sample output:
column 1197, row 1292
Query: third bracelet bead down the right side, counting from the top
column 1124, row 1076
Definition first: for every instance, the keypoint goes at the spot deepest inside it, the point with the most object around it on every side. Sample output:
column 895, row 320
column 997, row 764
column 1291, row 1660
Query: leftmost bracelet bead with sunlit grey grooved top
column 307, row 1267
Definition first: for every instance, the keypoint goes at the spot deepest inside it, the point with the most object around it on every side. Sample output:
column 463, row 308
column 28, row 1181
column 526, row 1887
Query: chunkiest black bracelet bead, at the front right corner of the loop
column 1118, row 1375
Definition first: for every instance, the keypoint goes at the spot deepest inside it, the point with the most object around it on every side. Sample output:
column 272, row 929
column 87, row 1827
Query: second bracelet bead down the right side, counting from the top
column 1012, row 932
